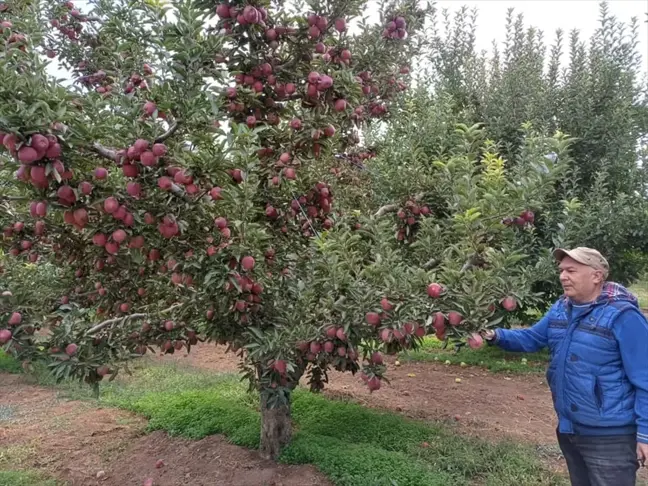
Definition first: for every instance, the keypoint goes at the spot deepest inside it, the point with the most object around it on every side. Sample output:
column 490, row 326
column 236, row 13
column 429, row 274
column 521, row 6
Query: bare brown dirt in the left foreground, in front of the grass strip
column 74, row 441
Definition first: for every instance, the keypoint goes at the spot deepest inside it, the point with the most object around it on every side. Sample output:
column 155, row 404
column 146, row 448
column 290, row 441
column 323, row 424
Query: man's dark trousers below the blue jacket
column 600, row 460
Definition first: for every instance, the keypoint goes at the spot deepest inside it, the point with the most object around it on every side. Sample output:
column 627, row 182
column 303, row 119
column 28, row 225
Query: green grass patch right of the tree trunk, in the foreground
column 354, row 445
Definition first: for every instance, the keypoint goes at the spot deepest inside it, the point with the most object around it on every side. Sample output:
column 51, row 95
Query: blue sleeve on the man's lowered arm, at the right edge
column 631, row 332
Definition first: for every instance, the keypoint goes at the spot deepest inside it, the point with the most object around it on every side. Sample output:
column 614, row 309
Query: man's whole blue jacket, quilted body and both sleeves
column 598, row 371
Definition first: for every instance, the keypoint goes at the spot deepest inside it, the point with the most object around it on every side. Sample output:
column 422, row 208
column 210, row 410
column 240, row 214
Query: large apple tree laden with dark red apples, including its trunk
column 175, row 163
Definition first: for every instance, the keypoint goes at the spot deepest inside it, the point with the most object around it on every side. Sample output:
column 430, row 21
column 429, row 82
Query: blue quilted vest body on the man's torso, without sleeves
column 589, row 386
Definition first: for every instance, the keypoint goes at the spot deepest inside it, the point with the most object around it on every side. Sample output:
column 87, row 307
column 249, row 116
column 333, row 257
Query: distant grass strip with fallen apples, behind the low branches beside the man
column 489, row 357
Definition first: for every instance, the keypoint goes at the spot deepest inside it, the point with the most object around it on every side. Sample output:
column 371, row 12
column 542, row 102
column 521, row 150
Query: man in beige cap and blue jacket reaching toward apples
column 598, row 372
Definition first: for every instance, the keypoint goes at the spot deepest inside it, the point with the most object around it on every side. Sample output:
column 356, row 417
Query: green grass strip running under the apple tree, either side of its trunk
column 351, row 444
